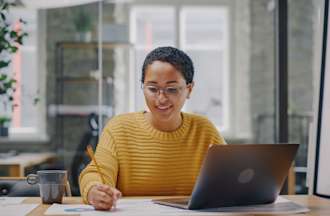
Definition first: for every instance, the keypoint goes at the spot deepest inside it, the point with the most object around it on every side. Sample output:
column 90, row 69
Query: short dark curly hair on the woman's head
column 177, row 58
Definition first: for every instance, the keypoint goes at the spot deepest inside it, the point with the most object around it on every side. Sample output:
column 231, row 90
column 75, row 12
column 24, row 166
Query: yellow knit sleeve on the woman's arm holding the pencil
column 106, row 157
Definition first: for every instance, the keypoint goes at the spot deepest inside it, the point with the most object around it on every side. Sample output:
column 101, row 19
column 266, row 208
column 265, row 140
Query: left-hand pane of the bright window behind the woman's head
column 150, row 27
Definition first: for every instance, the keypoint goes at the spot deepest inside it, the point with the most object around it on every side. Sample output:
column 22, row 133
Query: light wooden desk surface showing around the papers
column 318, row 206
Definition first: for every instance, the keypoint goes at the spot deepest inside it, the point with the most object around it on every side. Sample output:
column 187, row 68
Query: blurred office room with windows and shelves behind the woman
column 80, row 64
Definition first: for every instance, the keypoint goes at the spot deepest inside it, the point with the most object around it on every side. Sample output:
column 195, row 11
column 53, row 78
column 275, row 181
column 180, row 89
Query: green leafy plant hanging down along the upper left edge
column 10, row 39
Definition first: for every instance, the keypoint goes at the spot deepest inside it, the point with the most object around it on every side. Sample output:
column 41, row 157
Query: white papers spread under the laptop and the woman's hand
column 145, row 207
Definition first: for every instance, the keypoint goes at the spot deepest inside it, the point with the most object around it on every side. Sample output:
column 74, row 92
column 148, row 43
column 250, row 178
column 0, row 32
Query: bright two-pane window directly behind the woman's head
column 204, row 36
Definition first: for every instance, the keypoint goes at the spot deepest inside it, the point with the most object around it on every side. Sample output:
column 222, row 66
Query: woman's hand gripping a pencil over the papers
column 103, row 197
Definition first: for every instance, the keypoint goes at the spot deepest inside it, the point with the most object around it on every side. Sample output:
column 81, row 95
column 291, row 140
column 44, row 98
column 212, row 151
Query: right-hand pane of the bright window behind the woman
column 204, row 36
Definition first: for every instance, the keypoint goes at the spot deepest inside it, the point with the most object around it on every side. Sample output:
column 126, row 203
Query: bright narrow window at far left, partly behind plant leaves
column 27, row 119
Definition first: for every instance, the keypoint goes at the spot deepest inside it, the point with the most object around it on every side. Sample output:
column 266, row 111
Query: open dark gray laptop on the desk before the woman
column 238, row 174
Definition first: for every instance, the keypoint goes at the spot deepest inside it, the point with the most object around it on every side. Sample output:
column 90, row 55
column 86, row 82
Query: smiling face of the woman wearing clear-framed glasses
column 165, row 91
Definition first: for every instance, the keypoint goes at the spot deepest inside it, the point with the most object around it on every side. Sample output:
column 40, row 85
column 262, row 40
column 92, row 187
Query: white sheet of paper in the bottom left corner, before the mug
column 16, row 209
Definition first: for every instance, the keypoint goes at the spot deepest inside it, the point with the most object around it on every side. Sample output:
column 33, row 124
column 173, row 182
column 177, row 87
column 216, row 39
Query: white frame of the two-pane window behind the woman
column 228, row 128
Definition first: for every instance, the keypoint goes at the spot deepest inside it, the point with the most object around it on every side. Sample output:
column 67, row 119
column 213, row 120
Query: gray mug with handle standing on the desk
column 52, row 184
